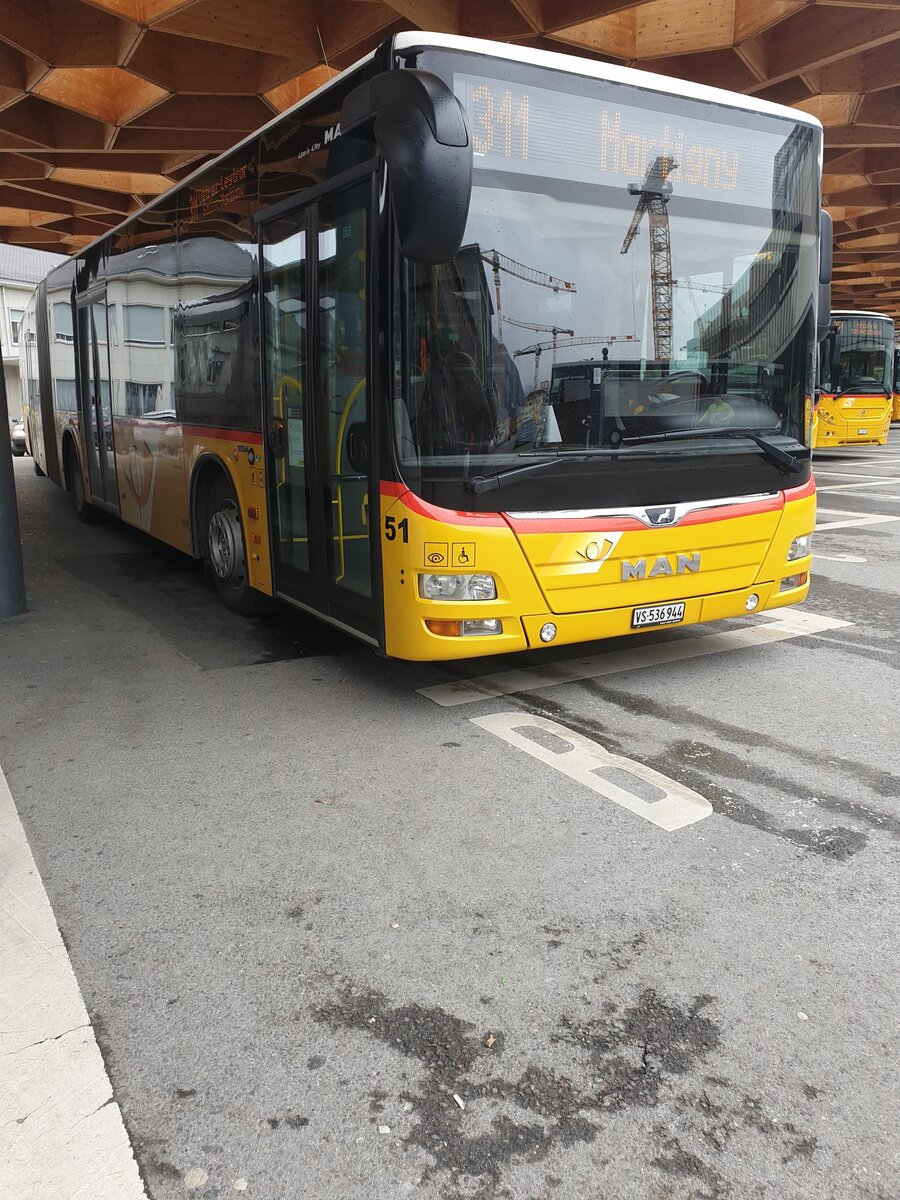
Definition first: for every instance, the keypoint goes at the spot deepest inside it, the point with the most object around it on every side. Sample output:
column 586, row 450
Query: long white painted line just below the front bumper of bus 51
column 781, row 626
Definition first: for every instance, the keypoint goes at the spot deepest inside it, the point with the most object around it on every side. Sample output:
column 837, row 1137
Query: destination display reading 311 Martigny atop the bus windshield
column 562, row 136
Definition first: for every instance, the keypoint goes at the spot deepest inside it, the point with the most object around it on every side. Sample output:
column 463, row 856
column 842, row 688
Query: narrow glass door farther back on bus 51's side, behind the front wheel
column 97, row 399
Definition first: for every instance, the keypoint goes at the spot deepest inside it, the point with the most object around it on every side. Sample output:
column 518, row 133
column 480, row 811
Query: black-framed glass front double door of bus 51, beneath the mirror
column 317, row 405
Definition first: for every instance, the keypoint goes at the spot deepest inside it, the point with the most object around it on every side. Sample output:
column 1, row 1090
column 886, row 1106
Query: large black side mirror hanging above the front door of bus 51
column 421, row 129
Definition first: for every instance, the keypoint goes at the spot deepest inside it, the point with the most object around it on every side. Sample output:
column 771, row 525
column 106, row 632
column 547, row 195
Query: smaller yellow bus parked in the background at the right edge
column 856, row 376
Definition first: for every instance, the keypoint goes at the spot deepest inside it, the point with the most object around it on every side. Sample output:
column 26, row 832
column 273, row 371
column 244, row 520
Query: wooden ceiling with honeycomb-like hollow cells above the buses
column 105, row 104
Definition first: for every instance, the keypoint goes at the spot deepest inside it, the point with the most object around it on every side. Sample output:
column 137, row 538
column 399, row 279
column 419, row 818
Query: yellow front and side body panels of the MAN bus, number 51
column 562, row 572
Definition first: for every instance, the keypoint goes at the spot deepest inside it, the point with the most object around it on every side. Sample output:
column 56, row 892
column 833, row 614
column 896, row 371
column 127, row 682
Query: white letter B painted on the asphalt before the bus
column 585, row 761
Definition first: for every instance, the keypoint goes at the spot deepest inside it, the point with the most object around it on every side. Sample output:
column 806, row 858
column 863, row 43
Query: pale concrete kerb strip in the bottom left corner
column 62, row 1133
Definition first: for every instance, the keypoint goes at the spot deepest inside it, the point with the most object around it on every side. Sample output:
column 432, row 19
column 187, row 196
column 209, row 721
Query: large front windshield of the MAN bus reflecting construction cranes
column 634, row 265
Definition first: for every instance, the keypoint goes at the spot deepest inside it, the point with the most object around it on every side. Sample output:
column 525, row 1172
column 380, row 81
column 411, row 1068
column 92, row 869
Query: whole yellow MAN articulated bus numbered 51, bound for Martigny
column 478, row 349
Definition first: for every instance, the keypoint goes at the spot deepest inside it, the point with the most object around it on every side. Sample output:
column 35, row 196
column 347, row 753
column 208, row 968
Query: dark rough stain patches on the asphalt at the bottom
column 631, row 1057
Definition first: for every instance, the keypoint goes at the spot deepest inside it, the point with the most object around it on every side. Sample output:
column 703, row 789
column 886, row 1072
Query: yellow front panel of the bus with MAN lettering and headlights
column 544, row 573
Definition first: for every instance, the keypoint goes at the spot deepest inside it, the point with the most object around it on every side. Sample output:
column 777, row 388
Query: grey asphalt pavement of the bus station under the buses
column 346, row 932
